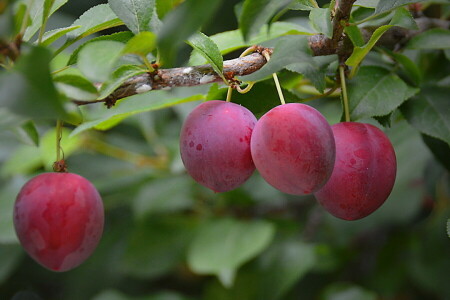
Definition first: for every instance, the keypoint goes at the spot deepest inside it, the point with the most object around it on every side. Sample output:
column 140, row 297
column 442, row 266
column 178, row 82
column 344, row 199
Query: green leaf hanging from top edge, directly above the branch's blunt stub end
column 256, row 13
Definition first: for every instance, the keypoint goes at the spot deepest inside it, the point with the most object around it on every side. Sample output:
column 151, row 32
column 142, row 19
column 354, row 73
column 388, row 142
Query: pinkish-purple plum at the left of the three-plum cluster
column 215, row 145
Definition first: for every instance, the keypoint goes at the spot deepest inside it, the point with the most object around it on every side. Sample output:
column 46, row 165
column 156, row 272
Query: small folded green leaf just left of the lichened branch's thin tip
column 76, row 87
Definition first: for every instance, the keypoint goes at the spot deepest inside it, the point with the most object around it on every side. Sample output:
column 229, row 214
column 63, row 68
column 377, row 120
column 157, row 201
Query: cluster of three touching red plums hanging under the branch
column 350, row 167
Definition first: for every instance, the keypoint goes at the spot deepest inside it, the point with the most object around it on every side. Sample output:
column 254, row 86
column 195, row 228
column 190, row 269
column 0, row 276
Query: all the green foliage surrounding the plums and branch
column 166, row 237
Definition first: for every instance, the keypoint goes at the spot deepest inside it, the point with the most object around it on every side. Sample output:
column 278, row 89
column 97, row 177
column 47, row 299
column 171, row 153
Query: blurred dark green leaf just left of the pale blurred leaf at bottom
column 157, row 246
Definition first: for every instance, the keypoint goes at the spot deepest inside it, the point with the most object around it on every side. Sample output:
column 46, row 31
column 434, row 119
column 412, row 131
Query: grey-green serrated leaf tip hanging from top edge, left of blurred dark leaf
column 136, row 14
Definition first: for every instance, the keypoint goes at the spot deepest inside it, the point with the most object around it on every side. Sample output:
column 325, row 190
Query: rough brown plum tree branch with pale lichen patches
column 319, row 44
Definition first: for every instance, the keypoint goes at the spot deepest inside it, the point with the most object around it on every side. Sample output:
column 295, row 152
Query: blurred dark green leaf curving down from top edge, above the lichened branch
column 179, row 25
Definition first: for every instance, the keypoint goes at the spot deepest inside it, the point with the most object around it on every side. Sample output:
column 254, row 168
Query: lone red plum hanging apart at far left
column 58, row 218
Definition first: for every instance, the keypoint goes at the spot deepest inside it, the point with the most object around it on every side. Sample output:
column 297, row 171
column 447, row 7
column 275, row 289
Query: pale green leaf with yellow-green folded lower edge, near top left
column 95, row 19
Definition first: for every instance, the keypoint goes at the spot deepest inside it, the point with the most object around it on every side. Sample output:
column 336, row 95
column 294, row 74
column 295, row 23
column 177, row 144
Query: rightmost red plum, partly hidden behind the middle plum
column 364, row 172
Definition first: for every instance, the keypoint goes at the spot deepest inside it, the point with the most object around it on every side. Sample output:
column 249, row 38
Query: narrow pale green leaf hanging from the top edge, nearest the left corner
column 37, row 15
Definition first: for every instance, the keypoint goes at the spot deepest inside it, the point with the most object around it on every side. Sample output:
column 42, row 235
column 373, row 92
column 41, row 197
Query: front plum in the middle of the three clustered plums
column 293, row 148
